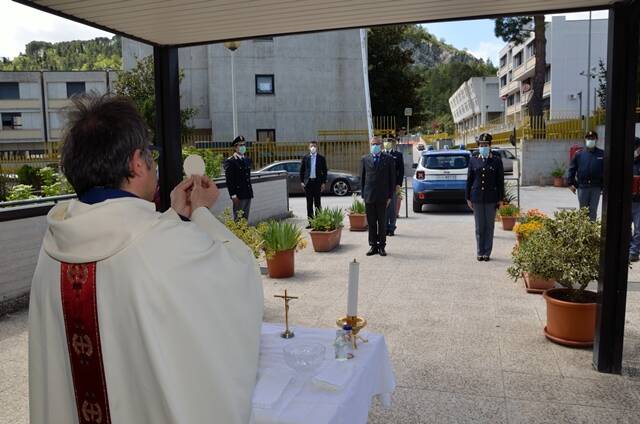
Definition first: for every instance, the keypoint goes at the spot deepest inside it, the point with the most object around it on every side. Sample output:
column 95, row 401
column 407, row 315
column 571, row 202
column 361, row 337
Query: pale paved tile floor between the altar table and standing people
column 466, row 342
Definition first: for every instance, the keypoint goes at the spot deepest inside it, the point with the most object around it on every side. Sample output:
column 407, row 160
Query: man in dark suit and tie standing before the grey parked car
column 313, row 177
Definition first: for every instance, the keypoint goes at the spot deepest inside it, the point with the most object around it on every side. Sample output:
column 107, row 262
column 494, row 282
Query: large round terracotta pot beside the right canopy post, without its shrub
column 569, row 323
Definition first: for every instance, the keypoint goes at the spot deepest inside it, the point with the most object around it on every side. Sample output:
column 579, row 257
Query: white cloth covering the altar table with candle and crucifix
column 302, row 401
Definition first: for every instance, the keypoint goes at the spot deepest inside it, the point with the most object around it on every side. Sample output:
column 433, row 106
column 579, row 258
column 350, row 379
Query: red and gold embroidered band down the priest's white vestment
column 80, row 309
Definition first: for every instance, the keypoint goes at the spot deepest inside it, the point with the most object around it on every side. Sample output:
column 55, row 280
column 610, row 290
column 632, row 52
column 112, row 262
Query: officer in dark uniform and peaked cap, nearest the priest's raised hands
column 237, row 171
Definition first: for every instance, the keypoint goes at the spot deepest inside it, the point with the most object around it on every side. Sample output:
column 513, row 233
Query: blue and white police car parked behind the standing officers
column 440, row 178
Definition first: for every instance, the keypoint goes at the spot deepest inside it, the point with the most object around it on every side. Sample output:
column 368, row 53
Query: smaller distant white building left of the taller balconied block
column 475, row 103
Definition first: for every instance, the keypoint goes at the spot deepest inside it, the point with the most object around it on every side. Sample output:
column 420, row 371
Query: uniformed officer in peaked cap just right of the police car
column 484, row 192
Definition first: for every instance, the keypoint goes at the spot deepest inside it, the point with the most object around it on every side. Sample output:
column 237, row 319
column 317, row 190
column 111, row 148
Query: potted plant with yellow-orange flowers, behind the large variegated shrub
column 532, row 260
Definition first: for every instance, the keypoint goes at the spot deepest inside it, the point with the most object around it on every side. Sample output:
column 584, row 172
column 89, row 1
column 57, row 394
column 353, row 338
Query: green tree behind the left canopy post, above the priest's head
column 138, row 85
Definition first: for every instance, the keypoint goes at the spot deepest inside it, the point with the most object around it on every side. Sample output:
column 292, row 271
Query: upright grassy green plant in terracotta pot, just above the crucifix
column 280, row 240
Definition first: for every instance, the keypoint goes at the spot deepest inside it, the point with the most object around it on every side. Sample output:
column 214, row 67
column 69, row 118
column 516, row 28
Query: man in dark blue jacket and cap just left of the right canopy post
column 585, row 174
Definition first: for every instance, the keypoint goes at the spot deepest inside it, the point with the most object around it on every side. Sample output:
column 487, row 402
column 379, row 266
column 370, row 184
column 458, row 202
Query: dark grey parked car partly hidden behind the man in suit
column 340, row 183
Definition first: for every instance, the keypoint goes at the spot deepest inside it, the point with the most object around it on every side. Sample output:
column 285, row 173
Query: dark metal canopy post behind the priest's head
column 167, row 87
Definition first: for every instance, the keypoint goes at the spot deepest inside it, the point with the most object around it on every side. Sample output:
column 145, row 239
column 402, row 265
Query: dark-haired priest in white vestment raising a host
column 138, row 316
